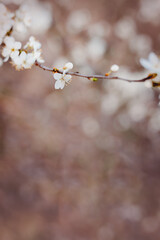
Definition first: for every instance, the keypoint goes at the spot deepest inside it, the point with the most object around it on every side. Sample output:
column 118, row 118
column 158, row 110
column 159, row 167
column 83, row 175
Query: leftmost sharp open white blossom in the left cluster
column 11, row 48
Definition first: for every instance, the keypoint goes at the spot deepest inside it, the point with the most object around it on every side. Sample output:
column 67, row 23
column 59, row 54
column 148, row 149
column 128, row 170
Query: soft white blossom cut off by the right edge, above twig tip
column 152, row 63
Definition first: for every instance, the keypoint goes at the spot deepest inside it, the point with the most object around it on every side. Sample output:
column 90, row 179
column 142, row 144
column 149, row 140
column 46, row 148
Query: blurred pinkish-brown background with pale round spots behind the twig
column 82, row 163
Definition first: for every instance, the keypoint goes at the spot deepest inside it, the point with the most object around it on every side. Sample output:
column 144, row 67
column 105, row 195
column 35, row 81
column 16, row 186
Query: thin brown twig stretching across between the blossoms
column 90, row 77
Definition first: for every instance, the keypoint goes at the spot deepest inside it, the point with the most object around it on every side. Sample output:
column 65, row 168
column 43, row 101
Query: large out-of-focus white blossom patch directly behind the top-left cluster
column 33, row 17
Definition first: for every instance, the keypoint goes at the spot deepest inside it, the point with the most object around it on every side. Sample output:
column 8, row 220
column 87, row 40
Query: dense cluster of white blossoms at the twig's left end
column 21, row 57
